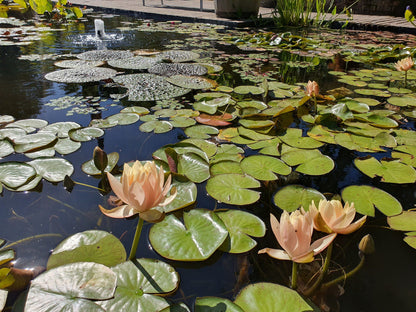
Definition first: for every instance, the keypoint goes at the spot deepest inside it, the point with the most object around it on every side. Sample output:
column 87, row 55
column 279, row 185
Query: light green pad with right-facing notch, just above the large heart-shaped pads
column 233, row 189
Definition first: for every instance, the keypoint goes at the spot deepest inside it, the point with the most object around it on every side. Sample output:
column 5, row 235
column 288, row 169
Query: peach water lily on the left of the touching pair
column 294, row 234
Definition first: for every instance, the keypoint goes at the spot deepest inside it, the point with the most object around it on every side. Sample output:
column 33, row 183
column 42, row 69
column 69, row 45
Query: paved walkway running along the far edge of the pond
column 190, row 10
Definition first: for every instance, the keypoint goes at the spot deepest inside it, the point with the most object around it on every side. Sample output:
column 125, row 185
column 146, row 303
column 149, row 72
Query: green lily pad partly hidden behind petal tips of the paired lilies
column 292, row 197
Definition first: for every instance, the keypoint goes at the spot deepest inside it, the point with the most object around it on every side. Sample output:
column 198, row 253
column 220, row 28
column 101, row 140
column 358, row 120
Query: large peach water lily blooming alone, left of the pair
column 141, row 188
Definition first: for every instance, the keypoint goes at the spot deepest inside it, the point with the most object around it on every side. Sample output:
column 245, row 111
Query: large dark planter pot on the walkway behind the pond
column 239, row 9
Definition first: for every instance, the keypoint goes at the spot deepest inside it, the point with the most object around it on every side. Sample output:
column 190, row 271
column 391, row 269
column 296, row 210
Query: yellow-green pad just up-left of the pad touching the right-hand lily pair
column 265, row 168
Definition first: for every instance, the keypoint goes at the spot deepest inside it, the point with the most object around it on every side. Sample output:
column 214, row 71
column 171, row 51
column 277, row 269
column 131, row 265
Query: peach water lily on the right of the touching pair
column 332, row 217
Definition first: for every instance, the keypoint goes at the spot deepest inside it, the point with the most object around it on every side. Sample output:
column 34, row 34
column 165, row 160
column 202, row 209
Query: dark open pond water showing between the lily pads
column 51, row 213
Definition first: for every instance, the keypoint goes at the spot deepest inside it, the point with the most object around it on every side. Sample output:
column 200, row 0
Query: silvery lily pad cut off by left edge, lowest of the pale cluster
column 14, row 174
